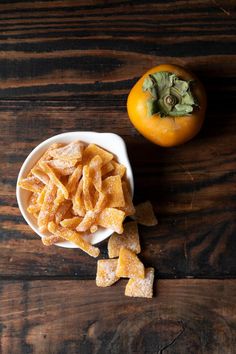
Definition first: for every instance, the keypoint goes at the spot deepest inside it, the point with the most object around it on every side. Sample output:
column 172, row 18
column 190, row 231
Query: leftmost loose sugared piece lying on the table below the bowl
column 106, row 272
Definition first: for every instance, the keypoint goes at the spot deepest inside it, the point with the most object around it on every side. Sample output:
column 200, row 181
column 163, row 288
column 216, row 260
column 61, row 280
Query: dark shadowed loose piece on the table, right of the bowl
column 144, row 214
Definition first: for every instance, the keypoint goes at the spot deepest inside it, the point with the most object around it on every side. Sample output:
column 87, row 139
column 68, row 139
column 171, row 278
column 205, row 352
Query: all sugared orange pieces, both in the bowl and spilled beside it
column 78, row 188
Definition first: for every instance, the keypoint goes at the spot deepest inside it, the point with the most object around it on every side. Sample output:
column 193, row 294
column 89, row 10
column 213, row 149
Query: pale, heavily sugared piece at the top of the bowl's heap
column 72, row 151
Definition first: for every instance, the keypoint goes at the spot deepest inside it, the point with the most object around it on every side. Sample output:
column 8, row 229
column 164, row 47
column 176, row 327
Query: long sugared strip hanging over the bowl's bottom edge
column 73, row 237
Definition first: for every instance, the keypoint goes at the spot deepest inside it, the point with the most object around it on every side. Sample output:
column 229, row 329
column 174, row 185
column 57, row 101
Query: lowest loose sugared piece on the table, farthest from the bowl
column 141, row 287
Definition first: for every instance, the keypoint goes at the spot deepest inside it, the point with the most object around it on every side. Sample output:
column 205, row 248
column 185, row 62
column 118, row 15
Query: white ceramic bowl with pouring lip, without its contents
column 109, row 141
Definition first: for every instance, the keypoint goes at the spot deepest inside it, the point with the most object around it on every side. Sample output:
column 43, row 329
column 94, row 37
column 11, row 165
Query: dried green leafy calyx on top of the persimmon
column 169, row 95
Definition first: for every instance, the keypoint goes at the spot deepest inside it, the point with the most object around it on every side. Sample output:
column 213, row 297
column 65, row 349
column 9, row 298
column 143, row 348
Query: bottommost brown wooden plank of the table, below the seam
column 58, row 317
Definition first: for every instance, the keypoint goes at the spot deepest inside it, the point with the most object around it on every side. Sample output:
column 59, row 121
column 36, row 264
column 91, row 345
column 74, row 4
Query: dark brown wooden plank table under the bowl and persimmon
column 67, row 66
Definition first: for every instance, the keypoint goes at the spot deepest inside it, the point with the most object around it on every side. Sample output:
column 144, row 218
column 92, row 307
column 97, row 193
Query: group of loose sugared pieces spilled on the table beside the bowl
column 126, row 246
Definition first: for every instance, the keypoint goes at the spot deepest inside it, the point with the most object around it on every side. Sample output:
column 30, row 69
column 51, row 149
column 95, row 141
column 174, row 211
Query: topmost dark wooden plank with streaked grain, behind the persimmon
column 79, row 49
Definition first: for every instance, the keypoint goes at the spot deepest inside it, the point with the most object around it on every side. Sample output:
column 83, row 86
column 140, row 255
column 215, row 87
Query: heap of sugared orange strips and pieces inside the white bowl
column 76, row 190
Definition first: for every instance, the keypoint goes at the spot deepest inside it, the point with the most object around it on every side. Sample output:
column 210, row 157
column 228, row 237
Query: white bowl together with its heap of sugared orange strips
column 75, row 189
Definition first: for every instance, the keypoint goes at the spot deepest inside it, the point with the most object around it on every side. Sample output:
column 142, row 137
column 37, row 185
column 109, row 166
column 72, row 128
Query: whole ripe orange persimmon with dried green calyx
column 167, row 105
